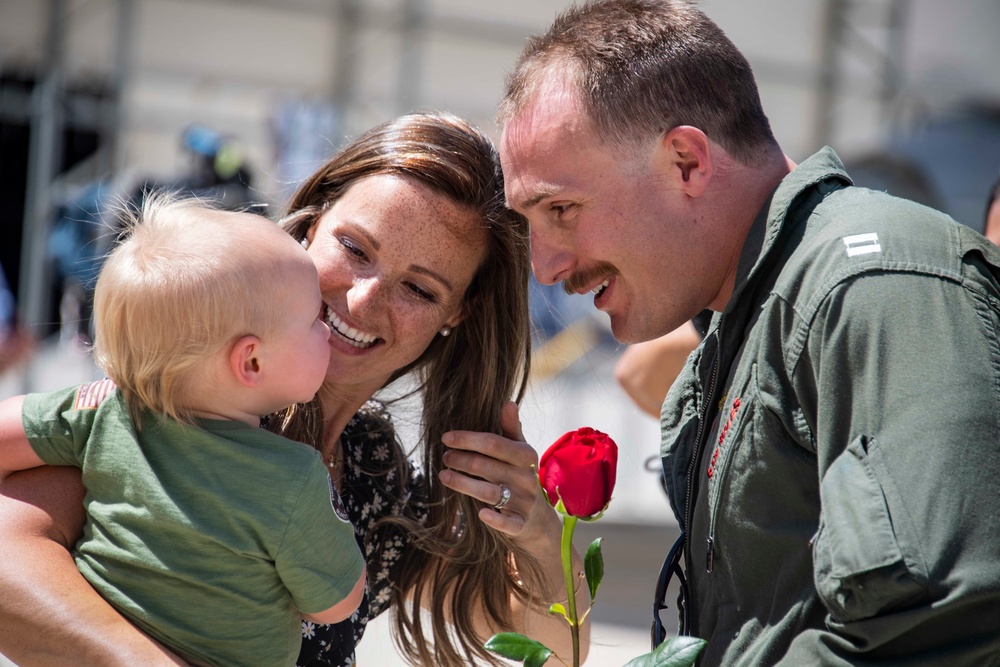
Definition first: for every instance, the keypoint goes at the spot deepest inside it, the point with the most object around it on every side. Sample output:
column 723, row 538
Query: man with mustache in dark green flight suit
column 830, row 450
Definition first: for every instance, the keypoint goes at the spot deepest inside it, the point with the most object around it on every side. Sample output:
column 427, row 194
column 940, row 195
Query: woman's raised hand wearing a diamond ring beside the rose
column 481, row 465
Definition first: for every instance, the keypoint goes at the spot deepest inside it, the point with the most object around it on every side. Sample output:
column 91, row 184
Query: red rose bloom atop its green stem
column 579, row 468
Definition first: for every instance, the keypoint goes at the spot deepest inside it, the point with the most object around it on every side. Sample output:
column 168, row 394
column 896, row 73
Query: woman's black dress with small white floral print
column 370, row 490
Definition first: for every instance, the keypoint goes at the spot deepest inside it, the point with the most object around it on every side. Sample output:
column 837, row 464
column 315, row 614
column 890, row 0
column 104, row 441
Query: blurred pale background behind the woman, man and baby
column 241, row 99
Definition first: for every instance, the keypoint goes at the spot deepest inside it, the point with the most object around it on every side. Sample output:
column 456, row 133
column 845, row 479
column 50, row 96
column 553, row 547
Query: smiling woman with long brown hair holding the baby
column 424, row 274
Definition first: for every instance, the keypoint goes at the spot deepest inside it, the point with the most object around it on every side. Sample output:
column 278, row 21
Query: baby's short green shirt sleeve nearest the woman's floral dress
column 319, row 560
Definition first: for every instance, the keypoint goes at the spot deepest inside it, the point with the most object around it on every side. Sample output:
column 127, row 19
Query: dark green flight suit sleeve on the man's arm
column 900, row 380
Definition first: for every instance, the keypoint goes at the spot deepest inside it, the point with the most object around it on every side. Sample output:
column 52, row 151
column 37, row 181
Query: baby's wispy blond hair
column 179, row 288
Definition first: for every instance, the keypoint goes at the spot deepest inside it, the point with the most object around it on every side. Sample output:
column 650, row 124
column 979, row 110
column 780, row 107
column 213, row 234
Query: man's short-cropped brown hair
column 644, row 67
